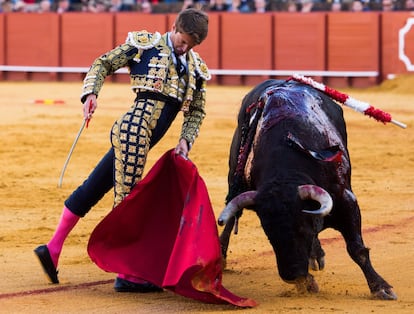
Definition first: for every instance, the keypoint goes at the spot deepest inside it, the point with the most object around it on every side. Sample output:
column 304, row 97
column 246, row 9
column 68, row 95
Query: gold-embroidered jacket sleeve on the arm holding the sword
column 106, row 65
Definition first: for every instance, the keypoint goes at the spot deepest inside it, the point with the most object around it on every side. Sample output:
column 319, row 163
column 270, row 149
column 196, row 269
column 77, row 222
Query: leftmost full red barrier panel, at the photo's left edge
column 32, row 40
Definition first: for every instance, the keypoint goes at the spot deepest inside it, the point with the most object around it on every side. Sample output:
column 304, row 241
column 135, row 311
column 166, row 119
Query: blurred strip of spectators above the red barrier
column 174, row 6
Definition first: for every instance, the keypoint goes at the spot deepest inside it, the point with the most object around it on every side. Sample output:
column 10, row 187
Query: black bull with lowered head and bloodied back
column 288, row 154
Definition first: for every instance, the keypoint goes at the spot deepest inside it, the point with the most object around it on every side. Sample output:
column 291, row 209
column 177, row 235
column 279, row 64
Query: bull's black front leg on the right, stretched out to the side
column 351, row 231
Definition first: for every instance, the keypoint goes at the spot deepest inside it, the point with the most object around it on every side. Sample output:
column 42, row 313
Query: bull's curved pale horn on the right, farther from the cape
column 318, row 194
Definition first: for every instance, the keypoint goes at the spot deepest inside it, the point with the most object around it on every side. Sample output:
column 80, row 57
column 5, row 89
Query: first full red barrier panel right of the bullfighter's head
column 246, row 43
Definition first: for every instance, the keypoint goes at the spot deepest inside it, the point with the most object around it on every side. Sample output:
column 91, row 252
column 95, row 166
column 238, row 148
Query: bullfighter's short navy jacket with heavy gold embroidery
column 151, row 68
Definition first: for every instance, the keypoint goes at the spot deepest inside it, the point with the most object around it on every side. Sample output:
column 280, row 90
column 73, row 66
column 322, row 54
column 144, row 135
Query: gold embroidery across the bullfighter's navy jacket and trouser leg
column 131, row 143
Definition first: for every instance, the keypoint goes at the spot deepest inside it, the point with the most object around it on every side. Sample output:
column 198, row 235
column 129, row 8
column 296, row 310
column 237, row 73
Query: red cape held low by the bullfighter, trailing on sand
column 165, row 232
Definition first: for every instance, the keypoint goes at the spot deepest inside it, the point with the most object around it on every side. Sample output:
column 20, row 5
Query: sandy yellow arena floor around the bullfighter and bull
column 36, row 139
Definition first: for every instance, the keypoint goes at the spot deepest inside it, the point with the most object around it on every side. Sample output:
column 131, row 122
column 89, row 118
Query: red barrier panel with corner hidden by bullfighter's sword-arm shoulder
column 84, row 36
